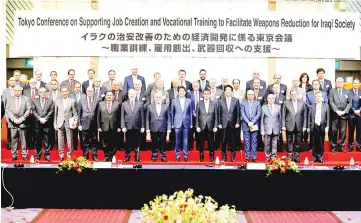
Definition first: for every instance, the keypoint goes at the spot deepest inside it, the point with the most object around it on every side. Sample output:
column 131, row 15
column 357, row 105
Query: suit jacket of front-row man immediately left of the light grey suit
column 47, row 112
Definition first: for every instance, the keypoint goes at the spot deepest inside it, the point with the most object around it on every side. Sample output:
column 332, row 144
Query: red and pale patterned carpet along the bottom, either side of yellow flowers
column 126, row 216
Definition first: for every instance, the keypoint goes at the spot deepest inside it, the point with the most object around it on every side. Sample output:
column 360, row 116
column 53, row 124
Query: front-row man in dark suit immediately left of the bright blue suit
column 158, row 124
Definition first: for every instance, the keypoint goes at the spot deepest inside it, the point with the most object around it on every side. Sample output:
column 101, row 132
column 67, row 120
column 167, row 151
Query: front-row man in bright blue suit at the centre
column 182, row 122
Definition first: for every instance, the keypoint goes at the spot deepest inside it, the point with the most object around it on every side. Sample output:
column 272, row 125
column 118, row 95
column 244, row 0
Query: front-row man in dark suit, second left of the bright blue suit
column 132, row 121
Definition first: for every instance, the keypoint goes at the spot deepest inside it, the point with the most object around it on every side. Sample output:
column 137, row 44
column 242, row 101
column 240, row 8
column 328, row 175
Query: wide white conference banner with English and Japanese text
column 178, row 33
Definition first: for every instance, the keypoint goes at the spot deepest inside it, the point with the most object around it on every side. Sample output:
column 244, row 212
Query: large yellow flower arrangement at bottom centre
column 183, row 206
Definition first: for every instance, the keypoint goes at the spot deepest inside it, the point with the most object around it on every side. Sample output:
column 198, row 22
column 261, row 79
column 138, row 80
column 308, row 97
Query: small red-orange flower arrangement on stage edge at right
column 281, row 165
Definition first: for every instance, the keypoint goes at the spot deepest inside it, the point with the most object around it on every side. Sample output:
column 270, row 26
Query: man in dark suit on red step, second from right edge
column 340, row 105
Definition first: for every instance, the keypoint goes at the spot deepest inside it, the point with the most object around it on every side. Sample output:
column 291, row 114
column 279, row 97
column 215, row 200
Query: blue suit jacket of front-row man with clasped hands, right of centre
column 254, row 117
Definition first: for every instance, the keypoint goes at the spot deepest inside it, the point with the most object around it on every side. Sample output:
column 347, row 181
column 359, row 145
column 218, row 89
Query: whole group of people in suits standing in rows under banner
column 189, row 111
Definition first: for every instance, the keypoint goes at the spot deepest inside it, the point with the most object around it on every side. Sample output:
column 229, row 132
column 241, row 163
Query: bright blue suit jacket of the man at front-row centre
column 179, row 117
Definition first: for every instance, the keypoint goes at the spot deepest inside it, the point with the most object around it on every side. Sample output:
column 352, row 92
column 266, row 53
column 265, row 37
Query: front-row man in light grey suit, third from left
column 65, row 110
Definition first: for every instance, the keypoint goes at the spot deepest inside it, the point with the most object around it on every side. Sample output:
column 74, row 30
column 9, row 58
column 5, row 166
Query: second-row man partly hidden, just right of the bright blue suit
column 196, row 96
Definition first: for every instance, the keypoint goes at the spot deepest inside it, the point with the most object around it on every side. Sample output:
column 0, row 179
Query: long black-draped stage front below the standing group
column 317, row 188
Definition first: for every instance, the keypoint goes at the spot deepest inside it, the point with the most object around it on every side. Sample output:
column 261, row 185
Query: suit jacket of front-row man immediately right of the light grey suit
column 87, row 116
